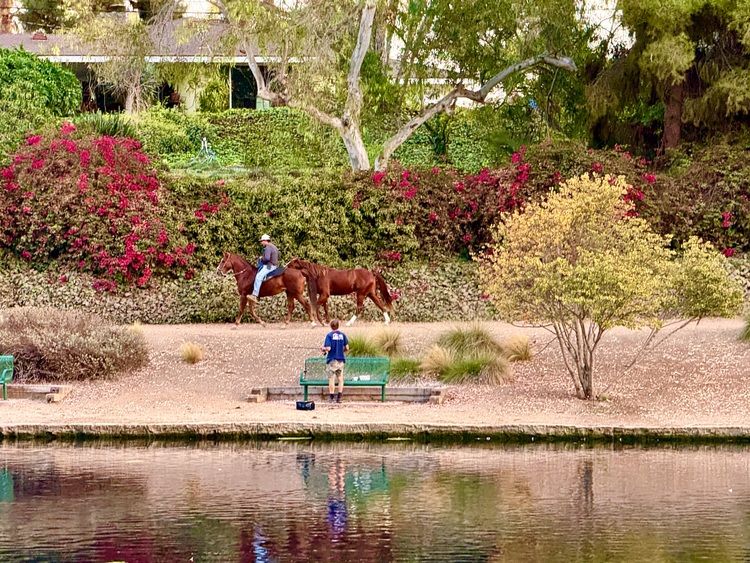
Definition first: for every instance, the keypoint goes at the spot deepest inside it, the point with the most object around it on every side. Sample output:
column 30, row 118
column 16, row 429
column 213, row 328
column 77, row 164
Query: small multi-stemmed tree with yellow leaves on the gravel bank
column 582, row 262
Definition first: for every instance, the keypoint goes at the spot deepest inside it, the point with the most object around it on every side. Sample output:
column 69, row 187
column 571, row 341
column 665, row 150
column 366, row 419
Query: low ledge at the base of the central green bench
column 434, row 395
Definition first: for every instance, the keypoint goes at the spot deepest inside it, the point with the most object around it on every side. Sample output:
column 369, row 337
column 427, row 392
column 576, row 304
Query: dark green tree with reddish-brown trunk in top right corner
column 688, row 67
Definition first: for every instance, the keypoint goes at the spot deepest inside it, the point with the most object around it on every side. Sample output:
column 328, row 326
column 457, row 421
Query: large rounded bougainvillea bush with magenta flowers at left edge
column 91, row 204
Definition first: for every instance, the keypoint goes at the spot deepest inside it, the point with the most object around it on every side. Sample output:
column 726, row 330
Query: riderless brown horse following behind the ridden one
column 329, row 281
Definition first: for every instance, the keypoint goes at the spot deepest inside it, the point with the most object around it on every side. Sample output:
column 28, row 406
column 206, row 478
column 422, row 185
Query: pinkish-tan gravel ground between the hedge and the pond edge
column 698, row 377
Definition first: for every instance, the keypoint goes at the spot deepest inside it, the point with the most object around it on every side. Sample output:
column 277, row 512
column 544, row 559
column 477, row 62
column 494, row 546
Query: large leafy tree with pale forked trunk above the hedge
column 346, row 52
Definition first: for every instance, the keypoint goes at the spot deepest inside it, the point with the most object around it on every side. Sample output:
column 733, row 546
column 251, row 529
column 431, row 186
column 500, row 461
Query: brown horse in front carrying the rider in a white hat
column 291, row 281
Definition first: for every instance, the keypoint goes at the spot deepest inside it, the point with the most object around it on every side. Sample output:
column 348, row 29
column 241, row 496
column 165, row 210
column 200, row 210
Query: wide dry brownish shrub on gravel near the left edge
column 53, row 344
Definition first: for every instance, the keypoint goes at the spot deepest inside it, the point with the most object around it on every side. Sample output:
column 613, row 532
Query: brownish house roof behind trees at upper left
column 178, row 41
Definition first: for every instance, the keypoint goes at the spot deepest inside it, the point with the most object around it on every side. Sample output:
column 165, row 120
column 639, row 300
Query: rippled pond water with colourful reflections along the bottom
column 291, row 501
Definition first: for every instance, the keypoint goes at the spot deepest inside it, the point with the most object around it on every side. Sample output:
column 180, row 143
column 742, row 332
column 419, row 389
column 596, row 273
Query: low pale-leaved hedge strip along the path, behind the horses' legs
column 424, row 293
